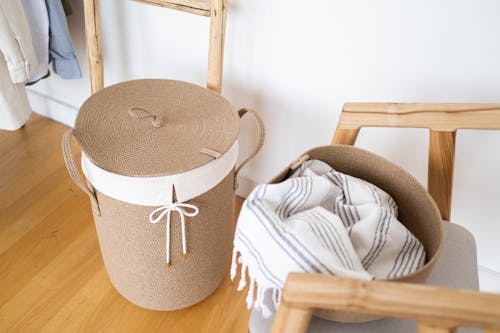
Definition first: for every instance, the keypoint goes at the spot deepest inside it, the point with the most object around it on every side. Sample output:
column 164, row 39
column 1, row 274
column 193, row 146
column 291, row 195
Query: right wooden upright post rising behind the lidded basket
column 216, row 47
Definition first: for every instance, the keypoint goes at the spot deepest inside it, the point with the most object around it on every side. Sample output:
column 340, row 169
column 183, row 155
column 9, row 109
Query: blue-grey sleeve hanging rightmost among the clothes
column 62, row 51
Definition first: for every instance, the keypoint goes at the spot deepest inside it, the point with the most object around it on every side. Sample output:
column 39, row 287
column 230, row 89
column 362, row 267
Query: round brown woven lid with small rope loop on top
column 155, row 127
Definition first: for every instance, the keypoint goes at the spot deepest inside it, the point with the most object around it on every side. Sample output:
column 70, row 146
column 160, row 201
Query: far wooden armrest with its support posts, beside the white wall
column 443, row 121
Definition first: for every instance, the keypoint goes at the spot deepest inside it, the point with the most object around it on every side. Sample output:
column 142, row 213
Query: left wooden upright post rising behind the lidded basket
column 92, row 10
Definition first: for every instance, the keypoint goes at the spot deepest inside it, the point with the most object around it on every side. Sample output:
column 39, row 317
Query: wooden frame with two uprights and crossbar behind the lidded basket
column 215, row 9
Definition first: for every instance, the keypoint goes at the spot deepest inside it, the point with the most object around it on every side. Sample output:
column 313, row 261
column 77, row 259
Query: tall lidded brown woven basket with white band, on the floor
column 159, row 157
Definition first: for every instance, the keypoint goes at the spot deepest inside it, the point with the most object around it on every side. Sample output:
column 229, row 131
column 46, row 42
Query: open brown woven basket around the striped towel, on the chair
column 417, row 210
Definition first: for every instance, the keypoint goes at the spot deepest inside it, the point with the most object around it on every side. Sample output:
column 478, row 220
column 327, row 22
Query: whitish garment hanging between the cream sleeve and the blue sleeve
column 38, row 19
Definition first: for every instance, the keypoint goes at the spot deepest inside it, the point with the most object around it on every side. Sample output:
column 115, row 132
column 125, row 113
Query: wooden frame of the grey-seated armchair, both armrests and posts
column 436, row 309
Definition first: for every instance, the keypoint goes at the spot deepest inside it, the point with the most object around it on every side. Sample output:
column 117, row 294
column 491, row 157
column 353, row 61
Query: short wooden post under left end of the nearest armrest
column 291, row 320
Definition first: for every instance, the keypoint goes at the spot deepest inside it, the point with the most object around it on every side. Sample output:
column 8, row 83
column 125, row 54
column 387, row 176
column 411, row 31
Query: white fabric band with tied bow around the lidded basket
column 157, row 191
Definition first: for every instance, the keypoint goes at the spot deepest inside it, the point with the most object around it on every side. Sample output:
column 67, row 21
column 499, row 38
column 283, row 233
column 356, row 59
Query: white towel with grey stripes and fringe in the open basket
column 322, row 221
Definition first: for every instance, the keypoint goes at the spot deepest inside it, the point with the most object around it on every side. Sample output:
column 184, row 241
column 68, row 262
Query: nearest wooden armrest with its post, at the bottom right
column 437, row 309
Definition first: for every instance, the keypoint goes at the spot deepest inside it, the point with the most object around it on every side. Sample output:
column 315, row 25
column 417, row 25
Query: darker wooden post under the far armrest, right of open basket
column 440, row 177
